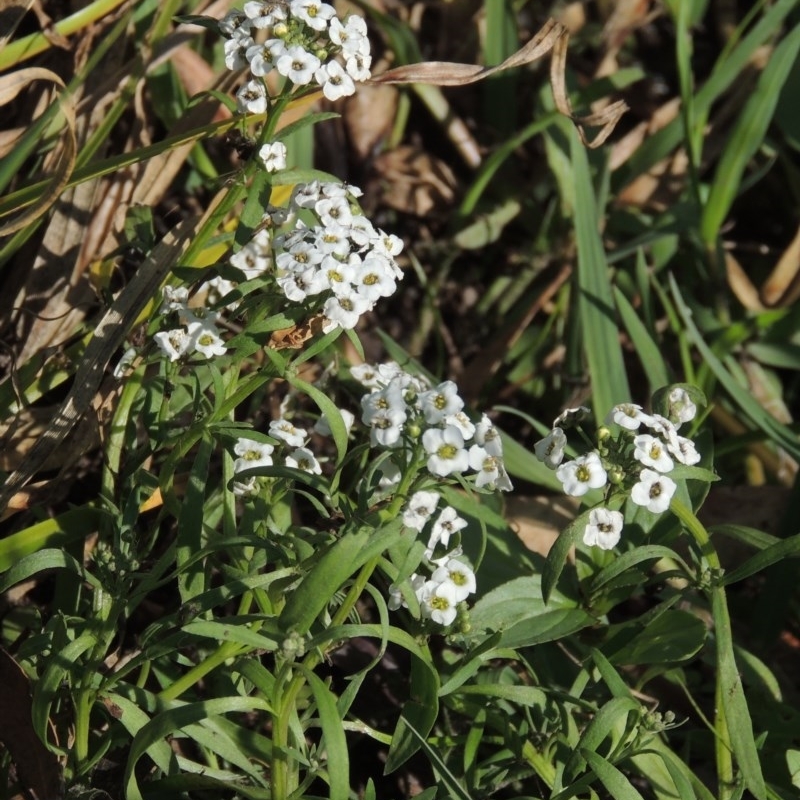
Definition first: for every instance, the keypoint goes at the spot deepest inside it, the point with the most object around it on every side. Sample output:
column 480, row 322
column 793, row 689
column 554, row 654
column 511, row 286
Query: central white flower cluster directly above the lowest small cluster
column 403, row 409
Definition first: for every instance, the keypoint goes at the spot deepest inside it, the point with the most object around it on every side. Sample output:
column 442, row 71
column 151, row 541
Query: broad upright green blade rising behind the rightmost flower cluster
column 596, row 303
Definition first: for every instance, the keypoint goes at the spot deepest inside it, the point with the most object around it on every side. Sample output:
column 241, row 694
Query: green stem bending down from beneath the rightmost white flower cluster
column 722, row 624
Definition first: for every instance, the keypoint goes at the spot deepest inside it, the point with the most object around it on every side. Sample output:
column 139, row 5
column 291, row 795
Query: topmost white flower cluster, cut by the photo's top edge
column 302, row 40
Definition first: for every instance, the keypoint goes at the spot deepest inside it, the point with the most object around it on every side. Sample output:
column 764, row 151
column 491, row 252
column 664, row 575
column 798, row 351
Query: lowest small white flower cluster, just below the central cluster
column 452, row 580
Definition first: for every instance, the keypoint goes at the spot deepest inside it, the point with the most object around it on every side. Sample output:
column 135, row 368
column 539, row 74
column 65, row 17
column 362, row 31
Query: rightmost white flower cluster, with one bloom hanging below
column 636, row 461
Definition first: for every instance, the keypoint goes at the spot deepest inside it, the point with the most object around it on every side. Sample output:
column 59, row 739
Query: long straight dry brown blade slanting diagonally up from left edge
column 110, row 333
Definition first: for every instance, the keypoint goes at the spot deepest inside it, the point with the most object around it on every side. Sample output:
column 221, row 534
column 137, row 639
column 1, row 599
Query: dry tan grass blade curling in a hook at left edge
column 10, row 86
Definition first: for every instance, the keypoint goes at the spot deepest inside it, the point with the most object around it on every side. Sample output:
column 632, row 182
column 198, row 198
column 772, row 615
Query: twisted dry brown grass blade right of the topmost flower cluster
column 554, row 37
